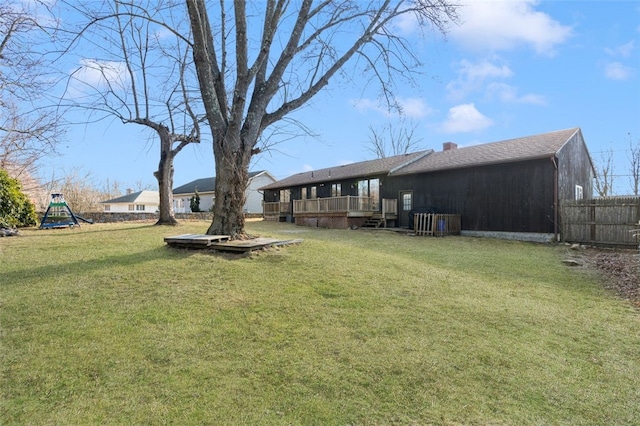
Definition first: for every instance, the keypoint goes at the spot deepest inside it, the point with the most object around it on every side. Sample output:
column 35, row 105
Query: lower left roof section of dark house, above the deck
column 347, row 171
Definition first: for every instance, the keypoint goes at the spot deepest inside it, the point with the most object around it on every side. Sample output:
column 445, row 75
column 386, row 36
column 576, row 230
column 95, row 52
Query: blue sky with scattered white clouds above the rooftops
column 508, row 69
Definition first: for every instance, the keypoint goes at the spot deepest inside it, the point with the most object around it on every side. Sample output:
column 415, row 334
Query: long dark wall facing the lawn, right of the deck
column 512, row 197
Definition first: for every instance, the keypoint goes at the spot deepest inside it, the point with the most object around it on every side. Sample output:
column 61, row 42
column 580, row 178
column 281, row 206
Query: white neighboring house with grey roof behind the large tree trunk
column 206, row 191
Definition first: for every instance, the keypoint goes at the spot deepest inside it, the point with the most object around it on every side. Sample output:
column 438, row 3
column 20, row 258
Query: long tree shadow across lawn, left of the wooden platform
column 87, row 266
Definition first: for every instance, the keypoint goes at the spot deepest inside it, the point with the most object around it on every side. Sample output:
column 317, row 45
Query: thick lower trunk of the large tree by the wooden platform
column 232, row 178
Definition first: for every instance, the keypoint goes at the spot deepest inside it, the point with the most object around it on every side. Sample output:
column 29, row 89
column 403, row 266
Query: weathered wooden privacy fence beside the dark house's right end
column 604, row 221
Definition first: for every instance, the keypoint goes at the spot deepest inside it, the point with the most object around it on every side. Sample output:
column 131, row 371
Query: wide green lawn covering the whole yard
column 106, row 324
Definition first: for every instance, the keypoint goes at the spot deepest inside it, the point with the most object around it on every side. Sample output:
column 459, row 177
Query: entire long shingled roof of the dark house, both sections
column 544, row 145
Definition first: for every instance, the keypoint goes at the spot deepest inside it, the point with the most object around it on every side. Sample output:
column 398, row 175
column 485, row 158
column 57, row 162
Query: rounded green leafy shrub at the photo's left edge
column 16, row 210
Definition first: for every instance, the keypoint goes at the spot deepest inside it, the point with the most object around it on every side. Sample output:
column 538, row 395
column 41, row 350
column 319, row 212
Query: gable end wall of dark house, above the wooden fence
column 574, row 168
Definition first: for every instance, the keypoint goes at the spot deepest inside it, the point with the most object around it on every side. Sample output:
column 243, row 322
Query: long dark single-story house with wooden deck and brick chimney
column 513, row 185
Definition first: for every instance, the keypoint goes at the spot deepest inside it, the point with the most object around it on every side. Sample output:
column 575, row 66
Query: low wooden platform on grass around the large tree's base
column 223, row 243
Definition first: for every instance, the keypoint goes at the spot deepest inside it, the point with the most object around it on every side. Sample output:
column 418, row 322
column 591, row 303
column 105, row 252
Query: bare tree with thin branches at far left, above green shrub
column 30, row 128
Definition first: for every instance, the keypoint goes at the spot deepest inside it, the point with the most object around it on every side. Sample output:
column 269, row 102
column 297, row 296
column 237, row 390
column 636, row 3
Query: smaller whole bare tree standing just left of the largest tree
column 145, row 78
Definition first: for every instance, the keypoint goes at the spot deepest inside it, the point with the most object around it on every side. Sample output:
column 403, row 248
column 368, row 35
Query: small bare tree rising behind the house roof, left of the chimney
column 390, row 140
